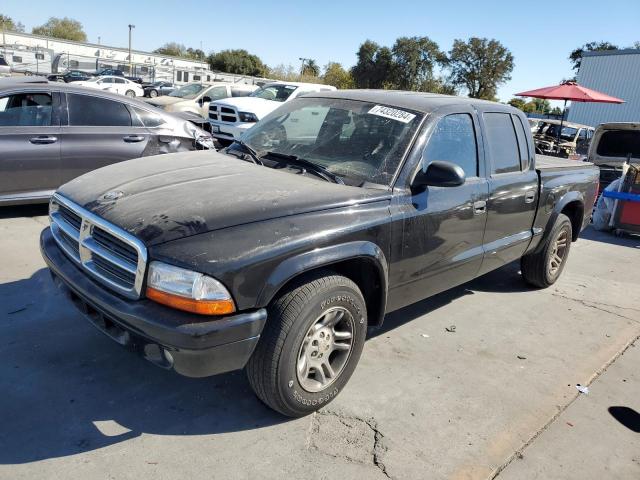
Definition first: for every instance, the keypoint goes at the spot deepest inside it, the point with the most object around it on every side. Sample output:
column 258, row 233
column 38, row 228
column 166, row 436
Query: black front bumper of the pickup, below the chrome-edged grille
column 184, row 342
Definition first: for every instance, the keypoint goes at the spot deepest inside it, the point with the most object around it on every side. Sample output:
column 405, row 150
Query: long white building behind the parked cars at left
column 35, row 54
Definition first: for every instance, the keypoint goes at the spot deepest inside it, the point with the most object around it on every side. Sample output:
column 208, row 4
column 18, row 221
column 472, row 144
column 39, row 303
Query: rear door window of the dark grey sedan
column 88, row 111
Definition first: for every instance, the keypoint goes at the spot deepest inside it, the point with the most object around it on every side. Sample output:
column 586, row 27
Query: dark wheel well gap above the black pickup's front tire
column 364, row 274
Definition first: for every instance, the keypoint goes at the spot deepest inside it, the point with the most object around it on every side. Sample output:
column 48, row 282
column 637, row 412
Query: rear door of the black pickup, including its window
column 513, row 188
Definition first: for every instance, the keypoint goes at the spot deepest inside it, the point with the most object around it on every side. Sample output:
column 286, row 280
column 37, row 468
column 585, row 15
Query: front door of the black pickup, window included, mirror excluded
column 443, row 228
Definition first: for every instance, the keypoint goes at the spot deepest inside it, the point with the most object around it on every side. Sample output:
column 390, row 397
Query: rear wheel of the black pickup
column 543, row 268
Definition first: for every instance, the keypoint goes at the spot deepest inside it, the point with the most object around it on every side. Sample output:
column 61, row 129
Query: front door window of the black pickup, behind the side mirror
column 454, row 140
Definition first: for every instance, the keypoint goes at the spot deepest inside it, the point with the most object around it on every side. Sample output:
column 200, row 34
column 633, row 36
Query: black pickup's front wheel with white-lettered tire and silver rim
column 310, row 345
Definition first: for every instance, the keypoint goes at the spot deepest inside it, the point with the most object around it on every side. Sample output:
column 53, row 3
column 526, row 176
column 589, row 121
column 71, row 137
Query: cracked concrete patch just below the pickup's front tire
column 354, row 434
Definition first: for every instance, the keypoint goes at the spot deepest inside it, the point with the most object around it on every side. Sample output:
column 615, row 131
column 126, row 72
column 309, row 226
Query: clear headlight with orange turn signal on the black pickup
column 186, row 290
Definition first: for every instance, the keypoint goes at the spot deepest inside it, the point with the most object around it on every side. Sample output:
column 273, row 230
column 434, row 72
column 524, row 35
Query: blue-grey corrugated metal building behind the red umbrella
column 616, row 73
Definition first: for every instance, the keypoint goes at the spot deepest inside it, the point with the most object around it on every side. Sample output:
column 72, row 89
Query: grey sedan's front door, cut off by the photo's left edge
column 29, row 143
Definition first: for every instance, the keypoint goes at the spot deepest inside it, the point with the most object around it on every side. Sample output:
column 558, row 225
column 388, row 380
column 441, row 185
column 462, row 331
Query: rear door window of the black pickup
column 502, row 143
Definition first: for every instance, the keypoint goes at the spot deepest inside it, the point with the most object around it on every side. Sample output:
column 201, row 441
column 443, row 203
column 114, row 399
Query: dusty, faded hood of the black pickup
column 167, row 197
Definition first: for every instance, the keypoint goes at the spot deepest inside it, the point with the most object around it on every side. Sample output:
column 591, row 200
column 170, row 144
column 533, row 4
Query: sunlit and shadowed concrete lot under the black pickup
column 497, row 397
